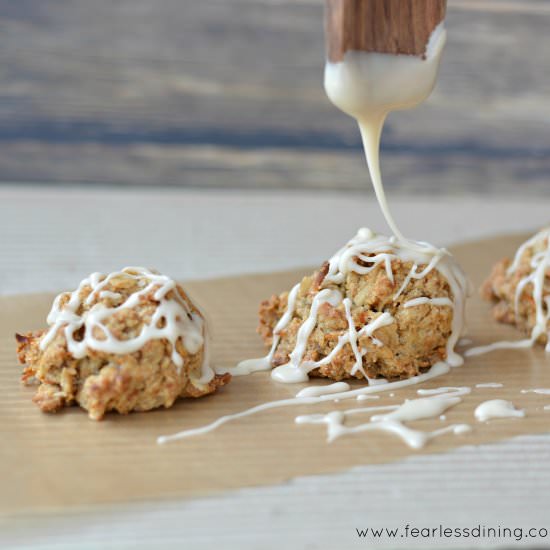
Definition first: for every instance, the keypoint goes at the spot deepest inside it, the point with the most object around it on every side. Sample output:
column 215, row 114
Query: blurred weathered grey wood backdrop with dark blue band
column 228, row 93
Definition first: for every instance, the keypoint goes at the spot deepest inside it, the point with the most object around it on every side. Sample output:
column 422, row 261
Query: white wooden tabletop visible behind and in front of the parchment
column 51, row 237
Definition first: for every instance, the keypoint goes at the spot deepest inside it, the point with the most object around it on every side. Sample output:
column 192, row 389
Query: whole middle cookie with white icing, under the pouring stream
column 381, row 308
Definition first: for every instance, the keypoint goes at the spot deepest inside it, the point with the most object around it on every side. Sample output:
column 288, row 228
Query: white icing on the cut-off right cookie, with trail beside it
column 540, row 263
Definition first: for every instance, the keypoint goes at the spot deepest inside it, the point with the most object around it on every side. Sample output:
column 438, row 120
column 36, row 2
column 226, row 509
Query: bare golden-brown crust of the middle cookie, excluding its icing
column 414, row 342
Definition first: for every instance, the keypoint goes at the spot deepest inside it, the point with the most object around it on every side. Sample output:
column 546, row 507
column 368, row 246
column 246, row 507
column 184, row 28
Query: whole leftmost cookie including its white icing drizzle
column 128, row 341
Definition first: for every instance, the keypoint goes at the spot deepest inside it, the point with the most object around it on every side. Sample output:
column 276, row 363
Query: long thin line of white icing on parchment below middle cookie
column 437, row 370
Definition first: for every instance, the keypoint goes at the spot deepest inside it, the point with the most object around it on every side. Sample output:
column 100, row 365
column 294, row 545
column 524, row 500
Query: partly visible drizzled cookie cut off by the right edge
column 520, row 289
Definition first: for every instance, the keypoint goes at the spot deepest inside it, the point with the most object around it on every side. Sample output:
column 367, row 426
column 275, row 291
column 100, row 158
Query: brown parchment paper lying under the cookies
column 62, row 460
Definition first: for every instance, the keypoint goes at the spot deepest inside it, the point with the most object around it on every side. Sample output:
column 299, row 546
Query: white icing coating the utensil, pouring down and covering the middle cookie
column 367, row 86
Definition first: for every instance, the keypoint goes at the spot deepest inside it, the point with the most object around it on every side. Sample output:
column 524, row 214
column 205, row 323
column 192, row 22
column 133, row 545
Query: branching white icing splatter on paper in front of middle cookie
column 392, row 422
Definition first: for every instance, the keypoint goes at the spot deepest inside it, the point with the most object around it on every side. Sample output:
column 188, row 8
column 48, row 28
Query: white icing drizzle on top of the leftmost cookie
column 173, row 314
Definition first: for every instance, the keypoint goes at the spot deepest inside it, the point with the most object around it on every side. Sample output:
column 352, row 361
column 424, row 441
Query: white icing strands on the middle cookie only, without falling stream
column 373, row 250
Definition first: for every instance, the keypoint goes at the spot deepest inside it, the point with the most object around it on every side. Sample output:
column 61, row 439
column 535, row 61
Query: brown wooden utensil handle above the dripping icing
column 385, row 26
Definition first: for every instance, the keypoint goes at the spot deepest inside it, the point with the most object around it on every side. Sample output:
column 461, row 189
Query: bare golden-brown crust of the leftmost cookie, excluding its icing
column 100, row 382
